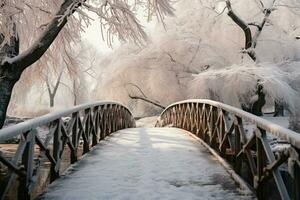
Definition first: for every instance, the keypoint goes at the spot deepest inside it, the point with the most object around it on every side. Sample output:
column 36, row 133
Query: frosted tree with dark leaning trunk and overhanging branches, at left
column 35, row 24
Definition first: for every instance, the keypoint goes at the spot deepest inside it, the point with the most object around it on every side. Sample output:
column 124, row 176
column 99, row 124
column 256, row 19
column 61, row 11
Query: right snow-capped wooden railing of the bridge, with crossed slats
column 246, row 142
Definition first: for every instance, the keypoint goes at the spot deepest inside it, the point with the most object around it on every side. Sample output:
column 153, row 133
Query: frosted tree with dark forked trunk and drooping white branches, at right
column 262, row 24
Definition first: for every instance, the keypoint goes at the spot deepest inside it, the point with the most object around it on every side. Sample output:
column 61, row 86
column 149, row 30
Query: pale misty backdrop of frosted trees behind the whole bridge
column 195, row 54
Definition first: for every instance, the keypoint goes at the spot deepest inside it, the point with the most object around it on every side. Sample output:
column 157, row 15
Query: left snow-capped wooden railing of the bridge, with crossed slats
column 54, row 140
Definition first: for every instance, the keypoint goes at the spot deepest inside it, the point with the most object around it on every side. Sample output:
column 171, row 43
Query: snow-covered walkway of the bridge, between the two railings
column 146, row 163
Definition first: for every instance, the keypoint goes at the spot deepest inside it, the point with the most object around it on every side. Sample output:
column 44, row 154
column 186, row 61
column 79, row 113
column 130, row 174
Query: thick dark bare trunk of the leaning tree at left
column 12, row 65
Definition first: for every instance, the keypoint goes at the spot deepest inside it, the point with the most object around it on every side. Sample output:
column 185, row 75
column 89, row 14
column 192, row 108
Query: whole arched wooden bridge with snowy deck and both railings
column 199, row 149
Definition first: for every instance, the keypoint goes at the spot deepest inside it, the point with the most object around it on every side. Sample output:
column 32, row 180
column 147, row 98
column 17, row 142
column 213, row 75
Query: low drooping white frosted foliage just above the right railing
column 236, row 84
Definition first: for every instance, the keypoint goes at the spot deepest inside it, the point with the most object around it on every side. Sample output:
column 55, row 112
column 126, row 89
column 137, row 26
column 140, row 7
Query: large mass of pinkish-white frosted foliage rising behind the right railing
column 202, row 55
